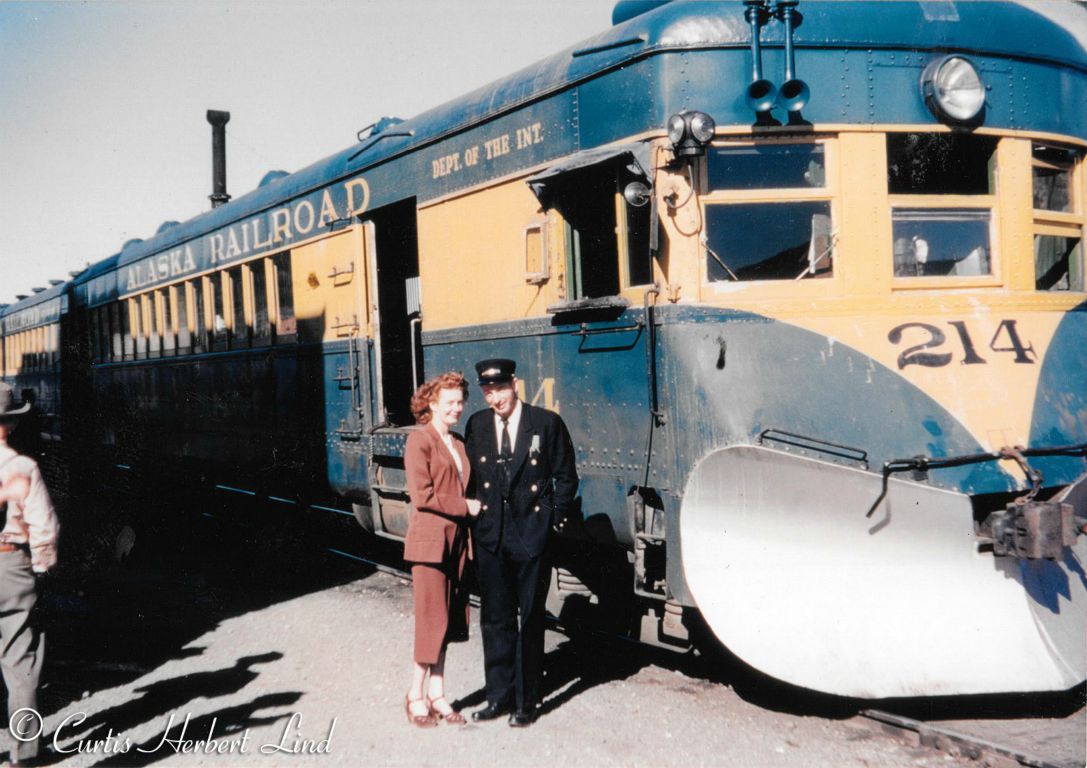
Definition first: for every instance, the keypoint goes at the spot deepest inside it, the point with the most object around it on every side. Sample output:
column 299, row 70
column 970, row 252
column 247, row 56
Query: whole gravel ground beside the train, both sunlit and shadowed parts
column 218, row 644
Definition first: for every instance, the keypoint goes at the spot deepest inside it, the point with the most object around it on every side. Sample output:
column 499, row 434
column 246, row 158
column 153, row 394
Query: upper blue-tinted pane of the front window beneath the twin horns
column 767, row 167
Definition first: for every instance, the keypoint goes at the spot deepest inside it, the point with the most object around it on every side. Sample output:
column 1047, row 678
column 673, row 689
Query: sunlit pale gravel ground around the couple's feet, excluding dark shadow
column 328, row 672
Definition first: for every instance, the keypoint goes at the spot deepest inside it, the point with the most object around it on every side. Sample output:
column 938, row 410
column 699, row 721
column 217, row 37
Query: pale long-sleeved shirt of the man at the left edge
column 34, row 522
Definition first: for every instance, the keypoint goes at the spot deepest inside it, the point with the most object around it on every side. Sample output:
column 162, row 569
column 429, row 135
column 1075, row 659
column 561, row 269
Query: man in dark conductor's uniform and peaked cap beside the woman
column 526, row 477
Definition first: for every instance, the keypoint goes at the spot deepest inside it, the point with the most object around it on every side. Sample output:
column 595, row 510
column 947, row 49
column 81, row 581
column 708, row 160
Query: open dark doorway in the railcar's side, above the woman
column 396, row 311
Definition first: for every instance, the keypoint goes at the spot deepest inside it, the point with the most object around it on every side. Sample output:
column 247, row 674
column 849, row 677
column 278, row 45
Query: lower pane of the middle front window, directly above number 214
column 941, row 242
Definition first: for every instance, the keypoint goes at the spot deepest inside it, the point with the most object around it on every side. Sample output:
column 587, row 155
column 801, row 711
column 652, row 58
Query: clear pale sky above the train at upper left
column 103, row 129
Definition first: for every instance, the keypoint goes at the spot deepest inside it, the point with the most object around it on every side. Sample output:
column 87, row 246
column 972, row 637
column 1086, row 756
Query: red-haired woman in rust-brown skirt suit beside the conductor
column 438, row 543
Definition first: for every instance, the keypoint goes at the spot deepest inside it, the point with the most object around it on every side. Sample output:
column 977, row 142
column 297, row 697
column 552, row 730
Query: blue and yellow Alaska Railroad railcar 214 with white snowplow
column 806, row 283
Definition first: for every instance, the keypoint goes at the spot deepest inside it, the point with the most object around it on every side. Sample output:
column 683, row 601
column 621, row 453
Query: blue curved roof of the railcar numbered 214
column 995, row 29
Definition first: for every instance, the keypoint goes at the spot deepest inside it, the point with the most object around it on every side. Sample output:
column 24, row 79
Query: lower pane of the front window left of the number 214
column 769, row 242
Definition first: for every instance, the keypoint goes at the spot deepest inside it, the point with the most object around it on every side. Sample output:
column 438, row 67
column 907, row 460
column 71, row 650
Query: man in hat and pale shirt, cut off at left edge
column 28, row 547
